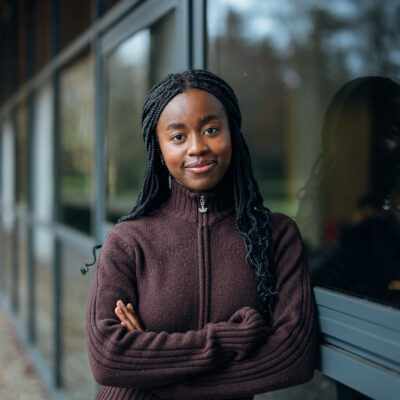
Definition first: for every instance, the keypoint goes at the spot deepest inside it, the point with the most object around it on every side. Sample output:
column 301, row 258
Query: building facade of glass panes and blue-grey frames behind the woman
column 325, row 145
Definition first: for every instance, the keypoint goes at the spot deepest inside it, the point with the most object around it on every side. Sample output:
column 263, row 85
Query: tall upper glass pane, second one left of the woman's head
column 76, row 143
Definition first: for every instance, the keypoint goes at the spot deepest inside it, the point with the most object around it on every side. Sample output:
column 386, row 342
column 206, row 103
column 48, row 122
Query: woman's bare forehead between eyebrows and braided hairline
column 193, row 104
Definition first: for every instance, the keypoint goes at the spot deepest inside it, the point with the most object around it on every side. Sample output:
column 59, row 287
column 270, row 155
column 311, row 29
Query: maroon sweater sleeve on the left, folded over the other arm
column 145, row 359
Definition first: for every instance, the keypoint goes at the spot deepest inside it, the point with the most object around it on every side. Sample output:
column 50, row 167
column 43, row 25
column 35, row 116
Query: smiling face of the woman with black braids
column 195, row 139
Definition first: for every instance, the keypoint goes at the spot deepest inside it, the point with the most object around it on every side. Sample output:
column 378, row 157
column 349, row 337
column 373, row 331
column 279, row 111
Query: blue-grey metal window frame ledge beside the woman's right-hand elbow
column 359, row 343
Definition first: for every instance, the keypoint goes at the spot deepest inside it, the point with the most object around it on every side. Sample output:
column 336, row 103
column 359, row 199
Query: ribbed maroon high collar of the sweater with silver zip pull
column 186, row 203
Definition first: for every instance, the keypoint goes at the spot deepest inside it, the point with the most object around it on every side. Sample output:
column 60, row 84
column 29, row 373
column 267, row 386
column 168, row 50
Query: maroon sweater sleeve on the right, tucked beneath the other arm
column 287, row 357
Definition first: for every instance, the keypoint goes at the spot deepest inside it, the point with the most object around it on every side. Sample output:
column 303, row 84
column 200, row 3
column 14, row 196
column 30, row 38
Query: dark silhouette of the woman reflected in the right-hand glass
column 359, row 191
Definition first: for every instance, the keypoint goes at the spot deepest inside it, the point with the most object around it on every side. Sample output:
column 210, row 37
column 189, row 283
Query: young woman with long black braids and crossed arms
column 200, row 292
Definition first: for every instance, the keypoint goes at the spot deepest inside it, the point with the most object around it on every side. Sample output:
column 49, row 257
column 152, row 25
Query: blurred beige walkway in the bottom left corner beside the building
column 18, row 380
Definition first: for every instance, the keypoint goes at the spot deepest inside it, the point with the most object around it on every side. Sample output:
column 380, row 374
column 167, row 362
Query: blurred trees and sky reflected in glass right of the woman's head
column 285, row 78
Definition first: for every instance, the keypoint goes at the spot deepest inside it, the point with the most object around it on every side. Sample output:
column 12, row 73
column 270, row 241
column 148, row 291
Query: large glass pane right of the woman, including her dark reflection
column 335, row 170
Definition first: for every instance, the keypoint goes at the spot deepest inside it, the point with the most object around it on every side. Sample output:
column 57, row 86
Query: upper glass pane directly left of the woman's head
column 132, row 68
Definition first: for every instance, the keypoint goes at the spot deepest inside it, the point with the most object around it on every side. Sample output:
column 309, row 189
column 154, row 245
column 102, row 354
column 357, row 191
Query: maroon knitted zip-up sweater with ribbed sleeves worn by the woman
column 183, row 267
